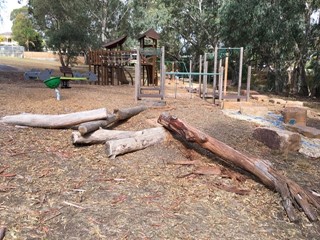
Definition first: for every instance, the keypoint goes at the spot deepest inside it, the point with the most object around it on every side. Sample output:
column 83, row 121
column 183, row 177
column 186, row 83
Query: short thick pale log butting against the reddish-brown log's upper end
column 138, row 141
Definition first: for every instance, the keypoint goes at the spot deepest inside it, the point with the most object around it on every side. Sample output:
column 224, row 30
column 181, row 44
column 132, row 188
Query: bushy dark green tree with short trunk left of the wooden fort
column 66, row 25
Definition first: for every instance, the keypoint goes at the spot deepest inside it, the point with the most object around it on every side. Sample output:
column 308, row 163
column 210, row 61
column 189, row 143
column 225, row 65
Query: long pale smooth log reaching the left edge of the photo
column 55, row 121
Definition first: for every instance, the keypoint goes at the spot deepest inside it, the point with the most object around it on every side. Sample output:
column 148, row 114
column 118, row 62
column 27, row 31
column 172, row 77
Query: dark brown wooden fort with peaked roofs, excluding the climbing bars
column 109, row 63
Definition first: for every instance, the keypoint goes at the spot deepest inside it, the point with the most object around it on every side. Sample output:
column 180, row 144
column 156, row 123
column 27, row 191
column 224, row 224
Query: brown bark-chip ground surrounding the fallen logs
column 53, row 190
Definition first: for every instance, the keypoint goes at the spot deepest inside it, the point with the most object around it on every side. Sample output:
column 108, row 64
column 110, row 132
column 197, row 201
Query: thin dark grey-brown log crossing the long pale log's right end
column 118, row 115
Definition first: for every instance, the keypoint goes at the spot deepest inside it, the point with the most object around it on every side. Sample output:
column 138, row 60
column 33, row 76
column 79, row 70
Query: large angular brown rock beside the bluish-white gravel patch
column 278, row 139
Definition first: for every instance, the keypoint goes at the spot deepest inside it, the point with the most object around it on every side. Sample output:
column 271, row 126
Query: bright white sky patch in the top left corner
column 6, row 24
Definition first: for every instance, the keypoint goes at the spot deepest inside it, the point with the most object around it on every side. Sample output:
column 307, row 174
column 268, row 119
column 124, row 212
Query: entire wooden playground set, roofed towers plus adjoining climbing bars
column 109, row 66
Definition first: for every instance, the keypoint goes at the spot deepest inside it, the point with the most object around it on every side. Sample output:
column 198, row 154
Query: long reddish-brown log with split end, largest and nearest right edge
column 293, row 195
